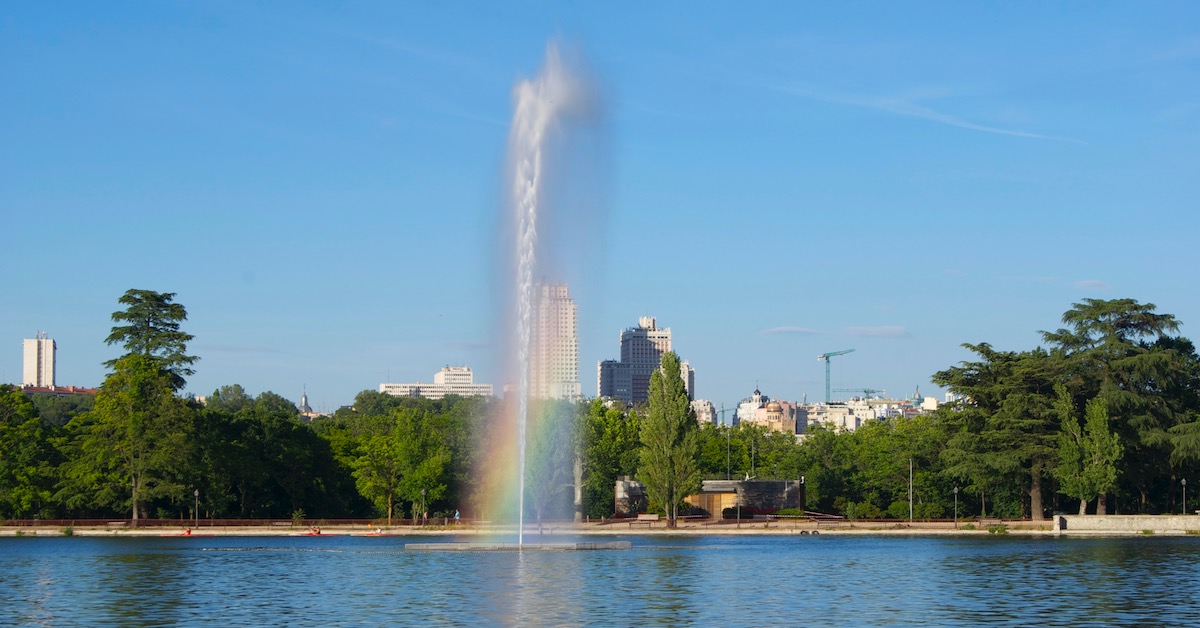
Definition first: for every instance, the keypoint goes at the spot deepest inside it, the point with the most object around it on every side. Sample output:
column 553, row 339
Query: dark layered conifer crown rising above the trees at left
column 151, row 327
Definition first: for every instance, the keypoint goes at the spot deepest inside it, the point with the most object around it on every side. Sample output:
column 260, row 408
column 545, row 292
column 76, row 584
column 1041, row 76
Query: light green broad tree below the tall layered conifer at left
column 134, row 446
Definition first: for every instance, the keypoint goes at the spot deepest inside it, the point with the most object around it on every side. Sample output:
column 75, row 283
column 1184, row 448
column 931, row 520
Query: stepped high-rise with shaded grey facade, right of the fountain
column 641, row 352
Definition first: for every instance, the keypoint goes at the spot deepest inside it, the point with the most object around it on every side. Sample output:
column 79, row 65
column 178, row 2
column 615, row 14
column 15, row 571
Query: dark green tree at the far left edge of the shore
column 27, row 458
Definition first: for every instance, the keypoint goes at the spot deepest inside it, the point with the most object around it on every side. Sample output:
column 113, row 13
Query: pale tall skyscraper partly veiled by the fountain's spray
column 555, row 346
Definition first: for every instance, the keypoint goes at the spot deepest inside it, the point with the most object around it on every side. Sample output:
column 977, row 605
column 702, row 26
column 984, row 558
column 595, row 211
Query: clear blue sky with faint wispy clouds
column 322, row 183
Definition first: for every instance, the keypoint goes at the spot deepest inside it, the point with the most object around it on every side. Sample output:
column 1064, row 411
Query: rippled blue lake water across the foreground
column 681, row 581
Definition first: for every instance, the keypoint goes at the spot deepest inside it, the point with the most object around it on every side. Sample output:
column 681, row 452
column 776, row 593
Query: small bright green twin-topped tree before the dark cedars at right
column 1089, row 456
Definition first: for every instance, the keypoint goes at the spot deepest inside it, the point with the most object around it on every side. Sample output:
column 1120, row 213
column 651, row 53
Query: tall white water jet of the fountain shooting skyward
column 542, row 107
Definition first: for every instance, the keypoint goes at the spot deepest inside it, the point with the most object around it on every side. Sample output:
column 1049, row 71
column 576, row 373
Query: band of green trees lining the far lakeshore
column 1105, row 417
